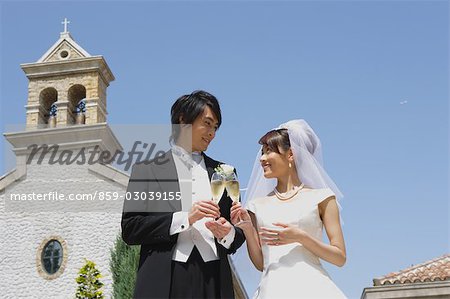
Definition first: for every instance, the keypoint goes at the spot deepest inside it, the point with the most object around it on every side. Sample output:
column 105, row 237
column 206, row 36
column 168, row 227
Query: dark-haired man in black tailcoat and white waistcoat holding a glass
column 185, row 241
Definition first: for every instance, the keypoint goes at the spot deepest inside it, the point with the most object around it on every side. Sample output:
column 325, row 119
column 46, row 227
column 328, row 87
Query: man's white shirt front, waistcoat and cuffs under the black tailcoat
column 194, row 186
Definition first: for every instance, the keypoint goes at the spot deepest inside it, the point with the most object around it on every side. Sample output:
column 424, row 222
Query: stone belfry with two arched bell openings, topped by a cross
column 67, row 86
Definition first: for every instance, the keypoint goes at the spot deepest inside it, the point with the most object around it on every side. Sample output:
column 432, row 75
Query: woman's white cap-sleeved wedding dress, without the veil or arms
column 292, row 271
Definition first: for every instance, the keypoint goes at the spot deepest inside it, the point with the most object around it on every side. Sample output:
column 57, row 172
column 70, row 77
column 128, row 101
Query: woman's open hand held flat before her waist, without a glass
column 285, row 234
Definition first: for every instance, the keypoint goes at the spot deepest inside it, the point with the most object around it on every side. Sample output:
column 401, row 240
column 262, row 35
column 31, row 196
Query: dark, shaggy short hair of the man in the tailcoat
column 190, row 106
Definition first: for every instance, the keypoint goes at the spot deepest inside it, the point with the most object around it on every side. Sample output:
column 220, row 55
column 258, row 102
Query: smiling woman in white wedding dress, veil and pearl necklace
column 289, row 199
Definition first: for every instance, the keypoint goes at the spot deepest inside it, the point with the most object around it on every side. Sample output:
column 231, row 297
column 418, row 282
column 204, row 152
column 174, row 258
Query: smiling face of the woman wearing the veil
column 274, row 164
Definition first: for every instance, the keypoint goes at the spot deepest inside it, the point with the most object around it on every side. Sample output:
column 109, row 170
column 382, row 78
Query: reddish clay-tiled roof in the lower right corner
column 435, row 270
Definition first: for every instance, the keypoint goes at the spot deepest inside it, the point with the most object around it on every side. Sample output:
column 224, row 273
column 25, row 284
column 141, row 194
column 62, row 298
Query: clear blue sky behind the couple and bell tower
column 344, row 66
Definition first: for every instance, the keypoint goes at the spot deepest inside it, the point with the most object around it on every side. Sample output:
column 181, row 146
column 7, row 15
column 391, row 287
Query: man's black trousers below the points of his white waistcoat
column 195, row 278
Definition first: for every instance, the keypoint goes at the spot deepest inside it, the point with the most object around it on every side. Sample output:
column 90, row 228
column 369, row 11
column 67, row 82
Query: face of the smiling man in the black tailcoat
column 204, row 130
